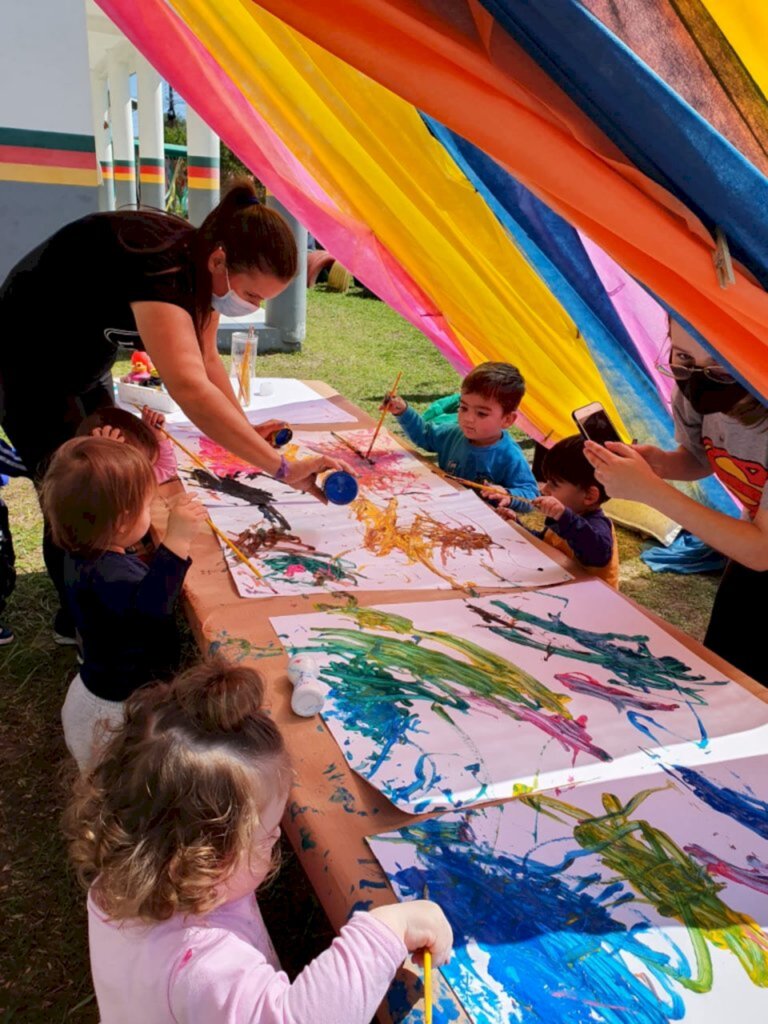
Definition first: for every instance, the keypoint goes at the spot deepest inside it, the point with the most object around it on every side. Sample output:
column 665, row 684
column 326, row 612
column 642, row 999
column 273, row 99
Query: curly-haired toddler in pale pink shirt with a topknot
column 173, row 832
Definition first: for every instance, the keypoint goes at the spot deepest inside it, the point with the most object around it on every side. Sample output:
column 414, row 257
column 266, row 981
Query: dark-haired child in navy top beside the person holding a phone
column 571, row 500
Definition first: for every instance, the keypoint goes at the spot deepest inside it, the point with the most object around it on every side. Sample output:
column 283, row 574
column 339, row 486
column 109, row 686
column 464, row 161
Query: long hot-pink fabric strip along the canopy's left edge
column 167, row 44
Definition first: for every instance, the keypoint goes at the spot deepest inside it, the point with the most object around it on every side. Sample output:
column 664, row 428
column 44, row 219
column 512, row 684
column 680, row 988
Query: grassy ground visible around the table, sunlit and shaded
column 358, row 346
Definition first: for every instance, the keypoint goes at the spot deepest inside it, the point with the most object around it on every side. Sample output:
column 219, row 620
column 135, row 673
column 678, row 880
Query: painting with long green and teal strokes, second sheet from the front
column 445, row 704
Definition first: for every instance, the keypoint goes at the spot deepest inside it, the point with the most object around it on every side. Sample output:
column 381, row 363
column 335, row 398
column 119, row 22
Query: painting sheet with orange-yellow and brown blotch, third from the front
column 380, row 546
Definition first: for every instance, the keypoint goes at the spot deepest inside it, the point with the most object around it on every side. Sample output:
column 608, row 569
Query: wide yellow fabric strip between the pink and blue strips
column 375, row 157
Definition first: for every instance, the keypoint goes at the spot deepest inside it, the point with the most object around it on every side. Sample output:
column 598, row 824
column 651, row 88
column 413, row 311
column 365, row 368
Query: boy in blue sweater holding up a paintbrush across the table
column 479, row 448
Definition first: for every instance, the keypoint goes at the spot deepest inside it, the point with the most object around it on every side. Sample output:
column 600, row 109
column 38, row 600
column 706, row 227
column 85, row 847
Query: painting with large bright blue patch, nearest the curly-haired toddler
column 600, row 905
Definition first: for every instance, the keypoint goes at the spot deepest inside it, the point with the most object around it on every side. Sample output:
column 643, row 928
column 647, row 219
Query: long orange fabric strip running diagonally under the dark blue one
column 460, row 67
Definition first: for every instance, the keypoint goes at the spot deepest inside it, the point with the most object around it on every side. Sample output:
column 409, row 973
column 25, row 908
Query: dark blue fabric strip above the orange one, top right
column 653, row 125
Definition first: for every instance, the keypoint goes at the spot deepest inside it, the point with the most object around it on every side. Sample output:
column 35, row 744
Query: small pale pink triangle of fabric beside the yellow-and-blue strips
column 646, row 320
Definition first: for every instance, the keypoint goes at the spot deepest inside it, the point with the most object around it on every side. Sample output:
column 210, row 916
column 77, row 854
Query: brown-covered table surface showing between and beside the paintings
column 331, row 810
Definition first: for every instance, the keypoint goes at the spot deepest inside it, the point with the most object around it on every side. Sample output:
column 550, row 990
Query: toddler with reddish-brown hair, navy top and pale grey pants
column 97, row 496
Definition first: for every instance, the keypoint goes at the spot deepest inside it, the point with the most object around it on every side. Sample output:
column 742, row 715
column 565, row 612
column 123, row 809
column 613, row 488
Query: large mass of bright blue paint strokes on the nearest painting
column 546, row 941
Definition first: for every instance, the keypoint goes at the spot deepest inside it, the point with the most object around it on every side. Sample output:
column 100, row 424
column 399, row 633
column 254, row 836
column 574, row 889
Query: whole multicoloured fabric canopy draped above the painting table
column 524, row 182
